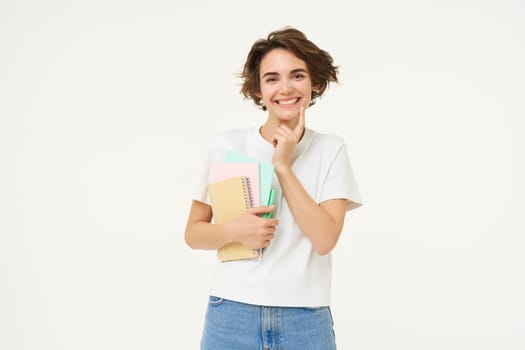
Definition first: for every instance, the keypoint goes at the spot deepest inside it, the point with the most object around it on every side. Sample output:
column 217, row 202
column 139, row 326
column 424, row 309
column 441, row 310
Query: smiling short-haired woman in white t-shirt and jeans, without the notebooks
column 281, row 301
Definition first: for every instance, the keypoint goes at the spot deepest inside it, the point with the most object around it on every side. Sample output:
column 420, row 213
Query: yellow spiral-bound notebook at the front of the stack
column 230, row 198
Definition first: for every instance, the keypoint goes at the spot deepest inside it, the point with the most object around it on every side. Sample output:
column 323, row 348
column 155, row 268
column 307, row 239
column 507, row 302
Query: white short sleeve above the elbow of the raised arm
column 340, row 181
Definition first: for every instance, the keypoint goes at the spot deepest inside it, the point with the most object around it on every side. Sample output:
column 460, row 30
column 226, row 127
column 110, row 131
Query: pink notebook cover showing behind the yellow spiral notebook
column 223, row 171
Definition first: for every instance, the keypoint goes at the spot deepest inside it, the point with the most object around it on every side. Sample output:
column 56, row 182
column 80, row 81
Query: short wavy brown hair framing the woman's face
column 319, row 62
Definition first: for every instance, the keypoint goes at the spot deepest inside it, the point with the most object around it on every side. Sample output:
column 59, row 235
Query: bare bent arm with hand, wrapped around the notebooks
column 249, row 229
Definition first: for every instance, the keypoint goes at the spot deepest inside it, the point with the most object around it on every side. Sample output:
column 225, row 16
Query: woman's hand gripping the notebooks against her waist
column 252, row 230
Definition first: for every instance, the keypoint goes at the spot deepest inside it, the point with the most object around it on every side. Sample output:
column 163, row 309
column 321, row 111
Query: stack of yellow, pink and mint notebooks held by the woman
column 236, row 185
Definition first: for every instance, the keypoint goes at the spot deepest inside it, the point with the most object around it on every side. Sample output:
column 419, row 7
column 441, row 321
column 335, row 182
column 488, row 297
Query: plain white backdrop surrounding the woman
column 105, row 112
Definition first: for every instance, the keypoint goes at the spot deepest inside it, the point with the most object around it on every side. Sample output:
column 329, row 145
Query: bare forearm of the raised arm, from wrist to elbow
column 322, row 230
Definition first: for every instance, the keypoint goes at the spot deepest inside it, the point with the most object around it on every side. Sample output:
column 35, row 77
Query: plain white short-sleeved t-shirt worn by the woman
column 290, row 272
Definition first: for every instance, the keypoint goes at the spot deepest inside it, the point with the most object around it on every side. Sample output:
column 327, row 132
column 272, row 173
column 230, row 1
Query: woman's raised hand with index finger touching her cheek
column 284, row 142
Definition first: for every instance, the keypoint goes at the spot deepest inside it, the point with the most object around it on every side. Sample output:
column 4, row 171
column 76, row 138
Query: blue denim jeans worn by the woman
column 230, row 325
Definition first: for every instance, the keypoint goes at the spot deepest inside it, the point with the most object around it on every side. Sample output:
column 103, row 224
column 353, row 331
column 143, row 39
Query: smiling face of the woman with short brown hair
column 285, row 84
